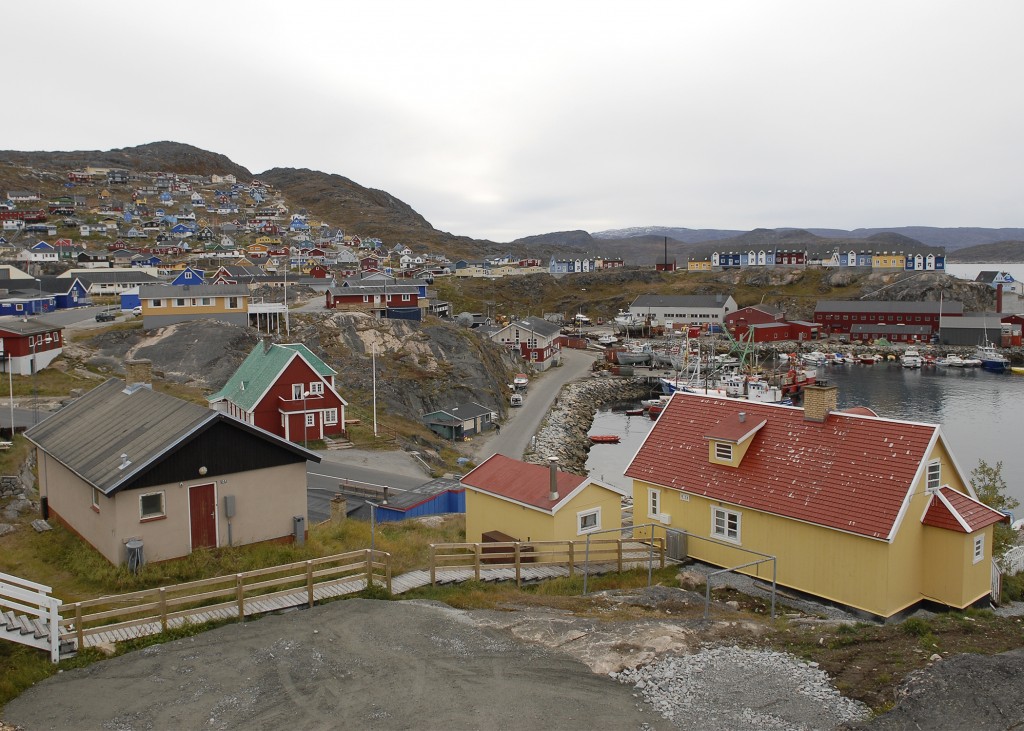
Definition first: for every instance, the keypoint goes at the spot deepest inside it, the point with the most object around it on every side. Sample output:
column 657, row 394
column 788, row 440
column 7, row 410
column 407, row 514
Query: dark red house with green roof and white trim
column 286, row 391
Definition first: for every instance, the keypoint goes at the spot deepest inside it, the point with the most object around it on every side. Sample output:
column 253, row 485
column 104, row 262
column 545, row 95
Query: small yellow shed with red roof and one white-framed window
column 536, row 503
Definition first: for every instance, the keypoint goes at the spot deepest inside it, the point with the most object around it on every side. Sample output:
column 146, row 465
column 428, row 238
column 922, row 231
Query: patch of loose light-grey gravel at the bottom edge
column 734, row 690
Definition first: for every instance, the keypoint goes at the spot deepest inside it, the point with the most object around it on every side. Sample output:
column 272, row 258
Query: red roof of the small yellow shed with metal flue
column 522, row 482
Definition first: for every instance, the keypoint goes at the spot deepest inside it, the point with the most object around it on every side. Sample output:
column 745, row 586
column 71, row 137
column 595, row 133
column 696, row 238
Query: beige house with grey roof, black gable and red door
column 126, row 463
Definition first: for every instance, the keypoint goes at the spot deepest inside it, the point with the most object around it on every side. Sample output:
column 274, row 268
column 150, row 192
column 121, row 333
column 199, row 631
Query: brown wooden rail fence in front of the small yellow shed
column 520, row 555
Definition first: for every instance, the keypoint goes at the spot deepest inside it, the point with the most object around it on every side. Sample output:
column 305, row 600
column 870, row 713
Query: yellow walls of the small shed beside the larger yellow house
column 486, row 513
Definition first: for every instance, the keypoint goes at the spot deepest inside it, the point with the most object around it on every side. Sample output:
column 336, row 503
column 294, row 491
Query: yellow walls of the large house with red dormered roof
column 922, row 563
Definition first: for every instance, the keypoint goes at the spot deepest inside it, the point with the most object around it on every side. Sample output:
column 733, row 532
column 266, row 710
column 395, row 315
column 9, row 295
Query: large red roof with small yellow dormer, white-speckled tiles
column 850, row 472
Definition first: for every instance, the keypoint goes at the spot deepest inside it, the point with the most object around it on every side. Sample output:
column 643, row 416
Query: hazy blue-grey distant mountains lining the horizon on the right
column 950, row 239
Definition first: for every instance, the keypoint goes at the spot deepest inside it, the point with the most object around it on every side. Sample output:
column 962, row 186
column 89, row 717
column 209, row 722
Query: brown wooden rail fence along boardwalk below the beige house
column 223, row 597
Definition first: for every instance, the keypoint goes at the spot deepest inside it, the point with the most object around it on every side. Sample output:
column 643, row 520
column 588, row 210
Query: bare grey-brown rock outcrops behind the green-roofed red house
column 420, row 368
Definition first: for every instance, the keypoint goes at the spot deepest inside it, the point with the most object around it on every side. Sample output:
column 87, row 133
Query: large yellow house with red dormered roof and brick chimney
column 867, row 512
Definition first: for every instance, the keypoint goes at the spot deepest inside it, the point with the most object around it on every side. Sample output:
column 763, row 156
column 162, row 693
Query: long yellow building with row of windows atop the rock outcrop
column 165, row 305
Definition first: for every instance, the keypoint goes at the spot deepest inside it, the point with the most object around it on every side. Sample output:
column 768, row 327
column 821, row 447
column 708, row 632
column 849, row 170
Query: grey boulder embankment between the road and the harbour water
column 564, row 435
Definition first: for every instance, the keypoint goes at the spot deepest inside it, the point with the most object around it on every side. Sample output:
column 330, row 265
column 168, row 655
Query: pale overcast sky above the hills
column 500, row 121
